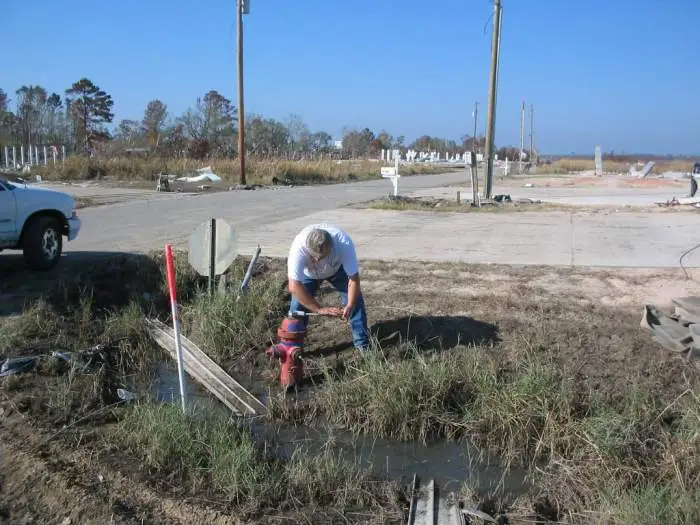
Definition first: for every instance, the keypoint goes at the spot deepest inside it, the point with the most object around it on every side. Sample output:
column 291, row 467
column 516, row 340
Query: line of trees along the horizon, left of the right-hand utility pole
column 82, row 120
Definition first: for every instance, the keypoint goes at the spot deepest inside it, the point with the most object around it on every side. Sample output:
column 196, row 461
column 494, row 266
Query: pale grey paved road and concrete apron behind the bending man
column 272, row 217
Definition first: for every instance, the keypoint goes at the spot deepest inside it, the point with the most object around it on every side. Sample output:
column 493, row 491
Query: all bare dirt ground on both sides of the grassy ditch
column 50, row 474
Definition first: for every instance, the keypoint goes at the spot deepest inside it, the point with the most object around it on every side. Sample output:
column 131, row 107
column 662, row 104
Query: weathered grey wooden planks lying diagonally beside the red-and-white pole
column 211, row 375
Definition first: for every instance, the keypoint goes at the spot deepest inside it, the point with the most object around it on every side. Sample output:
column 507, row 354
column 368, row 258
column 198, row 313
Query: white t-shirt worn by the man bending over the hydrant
column 300, row 264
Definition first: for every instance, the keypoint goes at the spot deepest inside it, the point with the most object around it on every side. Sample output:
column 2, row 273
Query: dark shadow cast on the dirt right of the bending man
column 435, row 332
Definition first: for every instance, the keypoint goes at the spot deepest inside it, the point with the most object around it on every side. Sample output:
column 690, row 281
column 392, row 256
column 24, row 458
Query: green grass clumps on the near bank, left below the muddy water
column 211, row 449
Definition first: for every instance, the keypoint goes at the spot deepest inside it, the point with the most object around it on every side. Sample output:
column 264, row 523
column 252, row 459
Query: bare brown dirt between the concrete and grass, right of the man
column 590, row 316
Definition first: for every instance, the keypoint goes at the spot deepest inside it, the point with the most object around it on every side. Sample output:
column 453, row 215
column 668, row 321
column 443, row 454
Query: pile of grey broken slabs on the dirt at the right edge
column 678, row 332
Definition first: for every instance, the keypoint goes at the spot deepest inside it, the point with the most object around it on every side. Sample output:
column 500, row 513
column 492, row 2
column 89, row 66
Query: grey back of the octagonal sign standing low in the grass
column 224, row 247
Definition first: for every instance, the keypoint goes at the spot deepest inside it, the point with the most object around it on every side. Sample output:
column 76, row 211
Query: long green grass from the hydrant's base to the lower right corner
column 581, row 447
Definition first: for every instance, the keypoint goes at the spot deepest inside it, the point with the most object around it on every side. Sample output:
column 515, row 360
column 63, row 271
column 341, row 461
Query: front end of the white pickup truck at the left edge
column 35, row 220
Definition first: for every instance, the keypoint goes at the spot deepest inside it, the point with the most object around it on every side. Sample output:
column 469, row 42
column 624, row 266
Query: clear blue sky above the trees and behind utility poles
column 621, row 73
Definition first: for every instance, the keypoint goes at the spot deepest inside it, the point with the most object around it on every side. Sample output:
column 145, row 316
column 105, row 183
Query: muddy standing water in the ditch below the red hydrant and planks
column 451, row 464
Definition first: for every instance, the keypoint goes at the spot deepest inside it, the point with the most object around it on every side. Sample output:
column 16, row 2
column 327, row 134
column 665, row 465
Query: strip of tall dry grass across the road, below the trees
column 257, row 171
